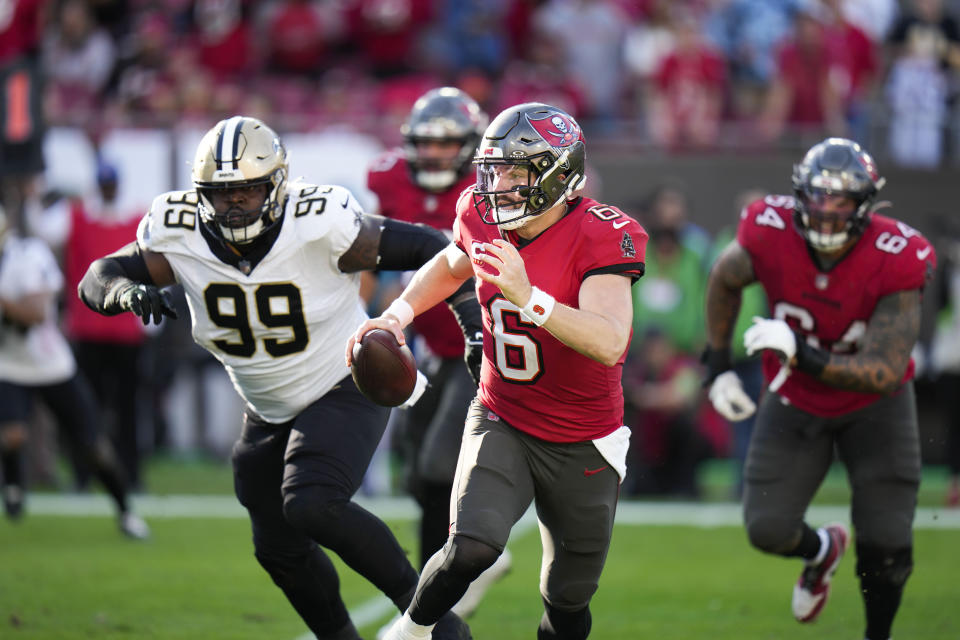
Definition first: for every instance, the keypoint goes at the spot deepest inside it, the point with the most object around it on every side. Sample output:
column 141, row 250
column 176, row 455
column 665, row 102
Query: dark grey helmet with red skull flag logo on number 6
column 530, row 159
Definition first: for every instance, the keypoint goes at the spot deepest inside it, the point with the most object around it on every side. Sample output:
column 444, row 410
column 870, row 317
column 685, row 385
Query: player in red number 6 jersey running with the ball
column 554, row 271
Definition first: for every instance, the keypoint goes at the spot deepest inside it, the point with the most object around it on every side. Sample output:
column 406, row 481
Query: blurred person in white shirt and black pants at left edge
column 36, row 361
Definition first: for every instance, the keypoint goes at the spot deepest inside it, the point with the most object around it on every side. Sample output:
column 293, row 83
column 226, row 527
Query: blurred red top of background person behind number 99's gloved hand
column 88, row 240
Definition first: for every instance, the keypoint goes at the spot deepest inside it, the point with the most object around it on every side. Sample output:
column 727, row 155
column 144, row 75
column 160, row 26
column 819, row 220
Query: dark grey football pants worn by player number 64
column 791, row 452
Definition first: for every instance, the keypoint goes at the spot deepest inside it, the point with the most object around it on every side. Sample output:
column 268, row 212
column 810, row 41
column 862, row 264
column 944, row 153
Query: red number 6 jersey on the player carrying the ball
column 533, row 381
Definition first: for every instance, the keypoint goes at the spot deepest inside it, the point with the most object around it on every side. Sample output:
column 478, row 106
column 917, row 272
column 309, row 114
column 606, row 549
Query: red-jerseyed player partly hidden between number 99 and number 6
column 420, row 183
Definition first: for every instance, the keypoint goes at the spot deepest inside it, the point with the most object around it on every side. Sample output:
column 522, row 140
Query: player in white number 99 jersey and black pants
column 270, row 271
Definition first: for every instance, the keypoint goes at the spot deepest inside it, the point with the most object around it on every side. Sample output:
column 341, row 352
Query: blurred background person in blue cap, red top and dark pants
column 107, row 349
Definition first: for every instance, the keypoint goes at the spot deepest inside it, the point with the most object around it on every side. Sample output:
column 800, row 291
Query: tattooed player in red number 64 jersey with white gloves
column 844, row 285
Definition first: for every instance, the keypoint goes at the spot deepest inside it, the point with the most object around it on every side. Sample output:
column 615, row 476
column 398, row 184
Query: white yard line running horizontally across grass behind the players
column 629, row 513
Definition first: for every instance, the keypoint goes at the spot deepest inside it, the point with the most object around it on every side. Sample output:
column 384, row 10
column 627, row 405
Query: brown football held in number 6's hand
column 382, row 369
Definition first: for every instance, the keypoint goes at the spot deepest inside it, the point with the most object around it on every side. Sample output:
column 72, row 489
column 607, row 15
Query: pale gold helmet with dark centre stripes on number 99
column 239, row 161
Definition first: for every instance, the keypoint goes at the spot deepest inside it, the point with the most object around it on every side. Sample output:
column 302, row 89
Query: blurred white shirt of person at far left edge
column 40, row 355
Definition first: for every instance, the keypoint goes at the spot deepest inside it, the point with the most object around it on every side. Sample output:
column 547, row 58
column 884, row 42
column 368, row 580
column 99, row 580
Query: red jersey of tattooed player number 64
column 831, row 308
